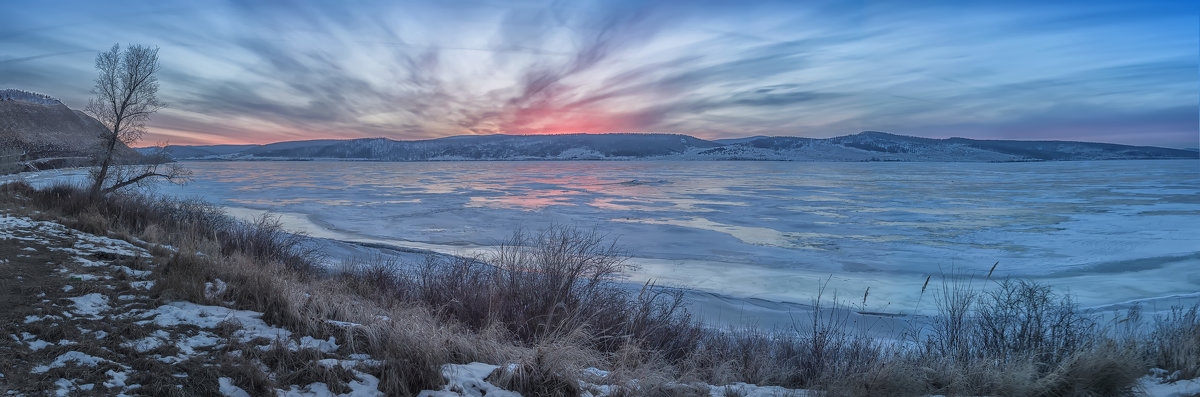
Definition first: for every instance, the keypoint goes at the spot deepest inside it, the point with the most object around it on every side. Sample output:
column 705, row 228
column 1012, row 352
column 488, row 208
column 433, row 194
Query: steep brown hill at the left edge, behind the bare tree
column 44, row 129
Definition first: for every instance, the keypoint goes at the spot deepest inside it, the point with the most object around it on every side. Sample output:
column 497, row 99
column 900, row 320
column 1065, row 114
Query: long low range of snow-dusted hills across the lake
column 862, row 147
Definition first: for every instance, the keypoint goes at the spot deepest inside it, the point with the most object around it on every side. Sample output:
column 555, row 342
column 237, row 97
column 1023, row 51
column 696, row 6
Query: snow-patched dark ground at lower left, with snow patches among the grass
column 93, row 327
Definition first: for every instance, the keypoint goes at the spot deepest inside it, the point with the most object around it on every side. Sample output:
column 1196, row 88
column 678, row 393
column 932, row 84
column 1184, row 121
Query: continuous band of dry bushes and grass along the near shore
column 548, row 303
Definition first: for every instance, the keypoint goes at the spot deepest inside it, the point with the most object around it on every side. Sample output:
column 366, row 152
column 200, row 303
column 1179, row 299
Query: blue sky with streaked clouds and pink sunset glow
column 251, row 73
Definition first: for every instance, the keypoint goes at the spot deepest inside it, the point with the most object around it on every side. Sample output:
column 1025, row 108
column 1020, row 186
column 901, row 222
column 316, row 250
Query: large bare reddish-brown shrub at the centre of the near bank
column 547, row 286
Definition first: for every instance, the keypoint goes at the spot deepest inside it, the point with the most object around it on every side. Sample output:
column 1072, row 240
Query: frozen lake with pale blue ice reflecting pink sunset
column 1111, row 232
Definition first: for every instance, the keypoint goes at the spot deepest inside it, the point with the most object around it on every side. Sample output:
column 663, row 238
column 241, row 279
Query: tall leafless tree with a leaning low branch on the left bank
column 127, row 94
